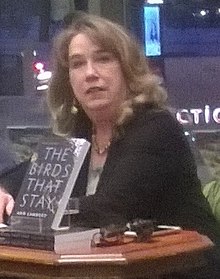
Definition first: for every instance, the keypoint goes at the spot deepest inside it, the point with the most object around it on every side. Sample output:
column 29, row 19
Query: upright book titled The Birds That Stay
column 47, row 186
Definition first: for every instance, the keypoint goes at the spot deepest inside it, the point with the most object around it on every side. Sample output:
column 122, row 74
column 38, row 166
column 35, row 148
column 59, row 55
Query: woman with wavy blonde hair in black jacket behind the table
column 140, row 164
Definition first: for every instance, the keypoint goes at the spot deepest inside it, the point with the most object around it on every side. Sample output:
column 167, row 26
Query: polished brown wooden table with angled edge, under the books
column 162, row 255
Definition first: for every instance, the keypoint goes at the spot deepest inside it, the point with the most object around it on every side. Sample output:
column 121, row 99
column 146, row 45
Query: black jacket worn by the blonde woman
column 149, row 173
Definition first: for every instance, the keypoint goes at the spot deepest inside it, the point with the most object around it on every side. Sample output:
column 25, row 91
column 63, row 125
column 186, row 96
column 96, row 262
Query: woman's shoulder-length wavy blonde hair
column 143, row 87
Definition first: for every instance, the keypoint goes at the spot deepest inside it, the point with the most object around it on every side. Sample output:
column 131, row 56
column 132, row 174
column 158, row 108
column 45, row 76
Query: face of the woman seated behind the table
column 95, row 75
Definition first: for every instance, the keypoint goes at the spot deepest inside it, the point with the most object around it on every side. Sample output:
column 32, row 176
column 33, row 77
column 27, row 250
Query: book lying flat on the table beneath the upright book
column 58, row 241
